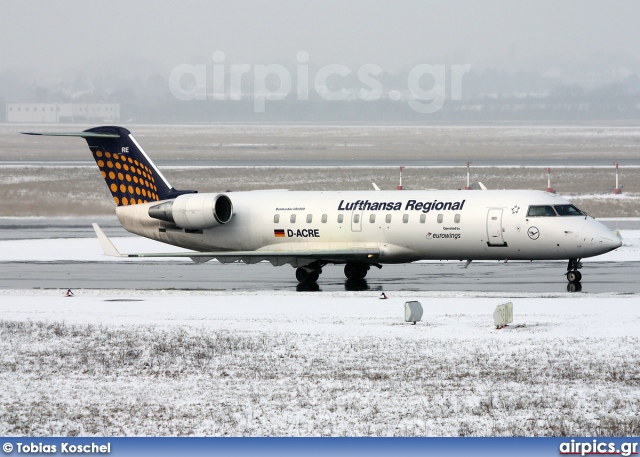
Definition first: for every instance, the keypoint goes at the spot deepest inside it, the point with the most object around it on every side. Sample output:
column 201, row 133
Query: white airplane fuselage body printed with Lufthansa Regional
column 404, row 225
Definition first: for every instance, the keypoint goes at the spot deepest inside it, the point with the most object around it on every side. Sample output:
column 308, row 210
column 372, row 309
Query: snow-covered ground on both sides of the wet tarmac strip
column 129, row 362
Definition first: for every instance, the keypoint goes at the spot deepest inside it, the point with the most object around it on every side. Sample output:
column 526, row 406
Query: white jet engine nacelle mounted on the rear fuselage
column 195, row 211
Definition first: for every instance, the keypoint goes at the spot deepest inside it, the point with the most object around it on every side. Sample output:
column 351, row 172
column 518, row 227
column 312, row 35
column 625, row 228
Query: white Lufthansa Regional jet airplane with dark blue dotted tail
column 360, row 229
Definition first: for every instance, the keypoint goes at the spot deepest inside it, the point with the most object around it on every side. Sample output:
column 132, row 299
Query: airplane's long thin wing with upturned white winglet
column 293, row 257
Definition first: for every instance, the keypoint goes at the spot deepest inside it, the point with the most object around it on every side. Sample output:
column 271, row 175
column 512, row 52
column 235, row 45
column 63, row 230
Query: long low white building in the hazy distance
column 62, row 112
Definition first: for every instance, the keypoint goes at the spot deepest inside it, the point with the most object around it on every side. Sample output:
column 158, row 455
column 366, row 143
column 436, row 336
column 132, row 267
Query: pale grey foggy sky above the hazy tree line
column 156, row 36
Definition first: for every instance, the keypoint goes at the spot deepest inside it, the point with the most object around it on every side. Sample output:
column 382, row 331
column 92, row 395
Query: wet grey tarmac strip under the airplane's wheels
column 513, row 277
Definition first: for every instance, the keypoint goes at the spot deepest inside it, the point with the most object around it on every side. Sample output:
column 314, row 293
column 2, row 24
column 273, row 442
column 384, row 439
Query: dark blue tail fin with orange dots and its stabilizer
column 129, row 173
